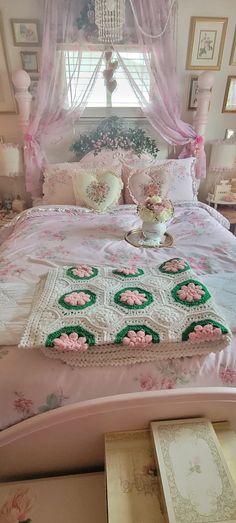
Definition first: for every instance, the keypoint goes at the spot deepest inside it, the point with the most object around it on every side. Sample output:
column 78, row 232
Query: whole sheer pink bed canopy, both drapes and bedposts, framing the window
column 69, row 25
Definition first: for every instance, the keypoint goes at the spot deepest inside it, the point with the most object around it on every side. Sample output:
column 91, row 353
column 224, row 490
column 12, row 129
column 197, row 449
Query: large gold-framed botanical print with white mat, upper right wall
column 206, row 42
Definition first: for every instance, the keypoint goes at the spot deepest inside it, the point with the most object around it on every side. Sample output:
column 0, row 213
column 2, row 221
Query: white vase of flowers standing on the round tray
column 155, row 213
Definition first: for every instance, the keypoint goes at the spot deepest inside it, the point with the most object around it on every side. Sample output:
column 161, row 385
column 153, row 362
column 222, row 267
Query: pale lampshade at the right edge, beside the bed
column 223, row 156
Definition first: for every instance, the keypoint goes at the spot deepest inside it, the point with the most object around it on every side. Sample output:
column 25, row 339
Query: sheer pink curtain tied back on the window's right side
column 155, row 22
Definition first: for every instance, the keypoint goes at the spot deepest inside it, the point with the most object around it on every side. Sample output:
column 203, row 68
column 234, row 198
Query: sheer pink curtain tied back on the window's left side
column 59, row 101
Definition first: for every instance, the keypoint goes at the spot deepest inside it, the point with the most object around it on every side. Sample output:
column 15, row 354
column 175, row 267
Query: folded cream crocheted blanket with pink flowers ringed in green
column 95, row 316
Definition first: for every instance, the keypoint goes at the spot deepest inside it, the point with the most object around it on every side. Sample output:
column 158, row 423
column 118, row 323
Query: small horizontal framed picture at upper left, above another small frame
column 25, row 32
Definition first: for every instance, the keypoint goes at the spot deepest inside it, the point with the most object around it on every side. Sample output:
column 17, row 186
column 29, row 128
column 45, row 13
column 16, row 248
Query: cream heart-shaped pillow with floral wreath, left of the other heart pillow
column 99, row 190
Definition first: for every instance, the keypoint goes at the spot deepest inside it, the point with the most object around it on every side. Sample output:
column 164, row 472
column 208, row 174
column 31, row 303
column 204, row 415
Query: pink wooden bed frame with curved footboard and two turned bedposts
column 71, row 437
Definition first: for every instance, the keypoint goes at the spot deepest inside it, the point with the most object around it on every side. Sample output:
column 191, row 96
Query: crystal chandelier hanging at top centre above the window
column 110, row 18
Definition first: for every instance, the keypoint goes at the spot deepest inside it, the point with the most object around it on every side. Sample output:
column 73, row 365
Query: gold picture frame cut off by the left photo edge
column 7, row 98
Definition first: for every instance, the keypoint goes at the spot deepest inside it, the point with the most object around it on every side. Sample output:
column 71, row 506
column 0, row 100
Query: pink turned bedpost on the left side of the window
column 21, row 81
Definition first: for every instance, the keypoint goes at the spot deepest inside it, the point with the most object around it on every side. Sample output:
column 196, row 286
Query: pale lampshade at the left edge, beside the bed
column 11, row 163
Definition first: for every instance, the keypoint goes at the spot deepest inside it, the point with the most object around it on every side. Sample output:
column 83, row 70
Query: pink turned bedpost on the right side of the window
column 205, row 83
